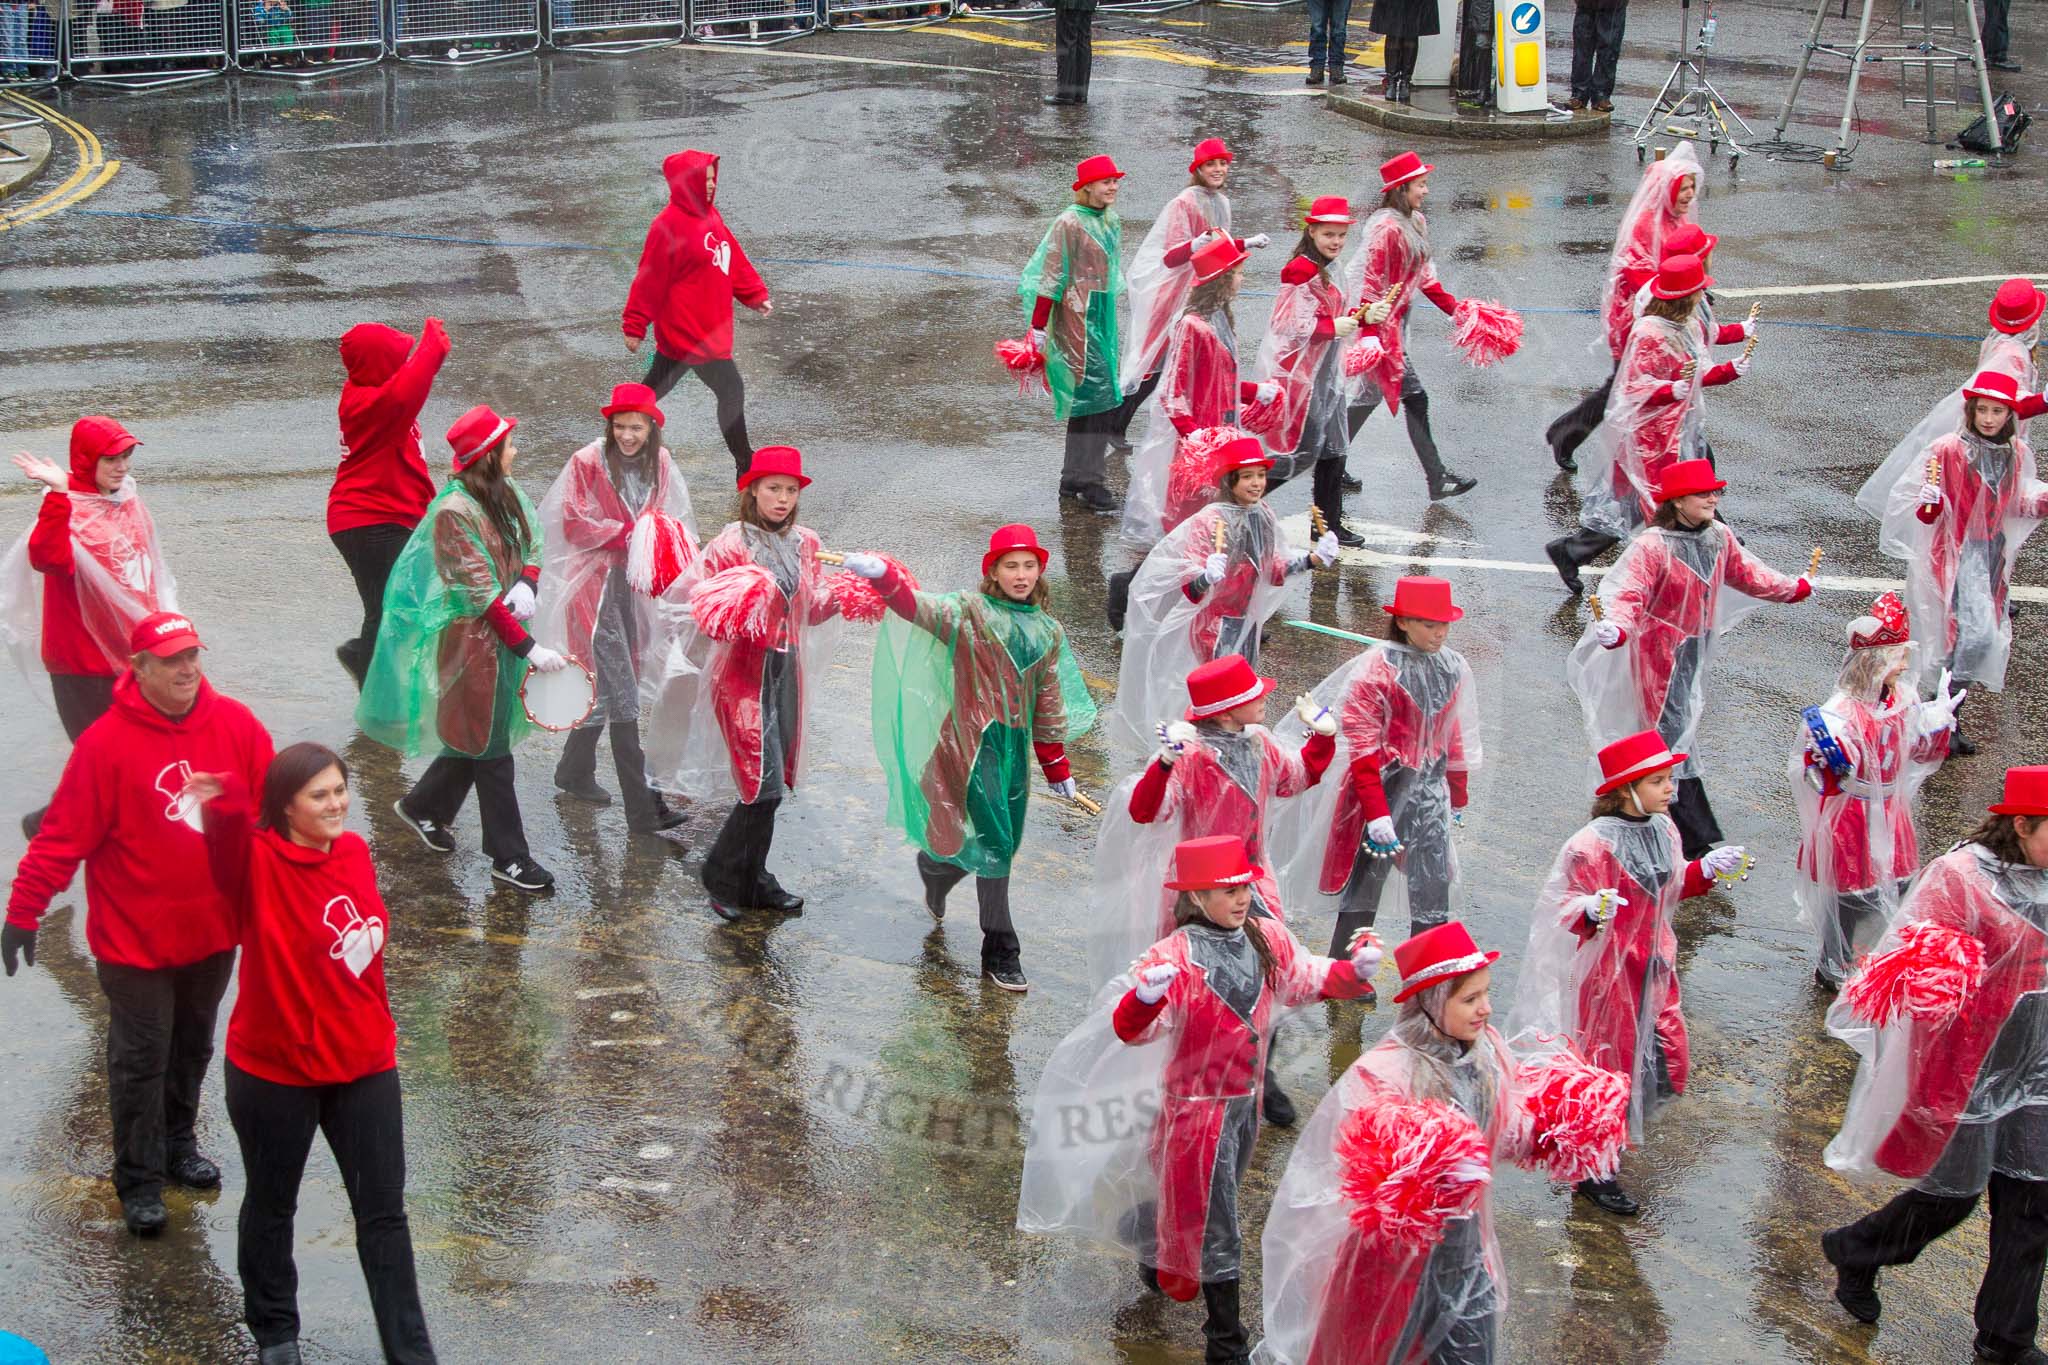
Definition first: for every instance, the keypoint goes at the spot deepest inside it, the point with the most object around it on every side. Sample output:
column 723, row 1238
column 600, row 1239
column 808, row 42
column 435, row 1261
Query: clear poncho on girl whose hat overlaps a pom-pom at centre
column 1168, row 633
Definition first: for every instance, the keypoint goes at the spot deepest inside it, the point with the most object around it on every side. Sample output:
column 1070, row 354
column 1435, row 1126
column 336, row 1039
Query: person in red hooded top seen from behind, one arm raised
column 382, row 486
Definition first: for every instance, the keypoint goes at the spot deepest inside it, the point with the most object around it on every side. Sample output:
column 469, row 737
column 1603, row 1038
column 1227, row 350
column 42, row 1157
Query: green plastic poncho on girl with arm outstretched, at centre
column 962, row 697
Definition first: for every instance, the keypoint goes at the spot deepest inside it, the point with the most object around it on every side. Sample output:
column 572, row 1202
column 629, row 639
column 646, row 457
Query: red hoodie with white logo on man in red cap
column 118, row 811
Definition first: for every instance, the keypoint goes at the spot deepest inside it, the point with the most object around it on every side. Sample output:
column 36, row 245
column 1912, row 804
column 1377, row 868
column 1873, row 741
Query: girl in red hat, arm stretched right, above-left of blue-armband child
column 1676, row 590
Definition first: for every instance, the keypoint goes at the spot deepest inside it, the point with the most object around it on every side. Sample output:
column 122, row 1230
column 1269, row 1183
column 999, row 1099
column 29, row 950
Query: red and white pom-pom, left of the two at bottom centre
column 1408, row 1168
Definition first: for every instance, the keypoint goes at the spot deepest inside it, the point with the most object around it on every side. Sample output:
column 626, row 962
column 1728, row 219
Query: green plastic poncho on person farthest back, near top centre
column 1080, row 269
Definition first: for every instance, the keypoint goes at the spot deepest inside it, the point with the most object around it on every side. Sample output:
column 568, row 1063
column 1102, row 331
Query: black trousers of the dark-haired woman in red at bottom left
column 366, row 1133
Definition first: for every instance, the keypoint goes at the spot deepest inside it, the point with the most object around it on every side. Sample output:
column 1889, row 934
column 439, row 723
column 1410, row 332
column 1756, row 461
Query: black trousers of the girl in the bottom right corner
column 2008, row 1301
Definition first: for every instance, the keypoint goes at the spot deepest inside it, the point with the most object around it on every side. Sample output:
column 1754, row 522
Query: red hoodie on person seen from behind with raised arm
column 382, row 480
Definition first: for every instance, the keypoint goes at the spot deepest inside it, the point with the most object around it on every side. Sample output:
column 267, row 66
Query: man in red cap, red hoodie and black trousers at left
column 161, row 934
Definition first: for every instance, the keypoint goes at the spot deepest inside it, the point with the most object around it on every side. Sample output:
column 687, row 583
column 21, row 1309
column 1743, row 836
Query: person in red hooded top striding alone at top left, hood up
column 691, row 271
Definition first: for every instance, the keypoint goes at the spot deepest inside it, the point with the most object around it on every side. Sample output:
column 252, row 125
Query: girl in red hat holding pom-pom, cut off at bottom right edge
column 1953, row 1088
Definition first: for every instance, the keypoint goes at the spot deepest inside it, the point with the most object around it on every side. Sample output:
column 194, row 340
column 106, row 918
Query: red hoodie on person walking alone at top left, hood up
column 691, row 271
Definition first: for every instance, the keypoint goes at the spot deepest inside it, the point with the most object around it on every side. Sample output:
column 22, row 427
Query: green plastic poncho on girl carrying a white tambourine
column 441, row 682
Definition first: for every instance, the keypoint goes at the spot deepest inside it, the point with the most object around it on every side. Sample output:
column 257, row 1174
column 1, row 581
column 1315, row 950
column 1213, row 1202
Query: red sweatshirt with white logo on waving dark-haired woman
column 312, row 1006
